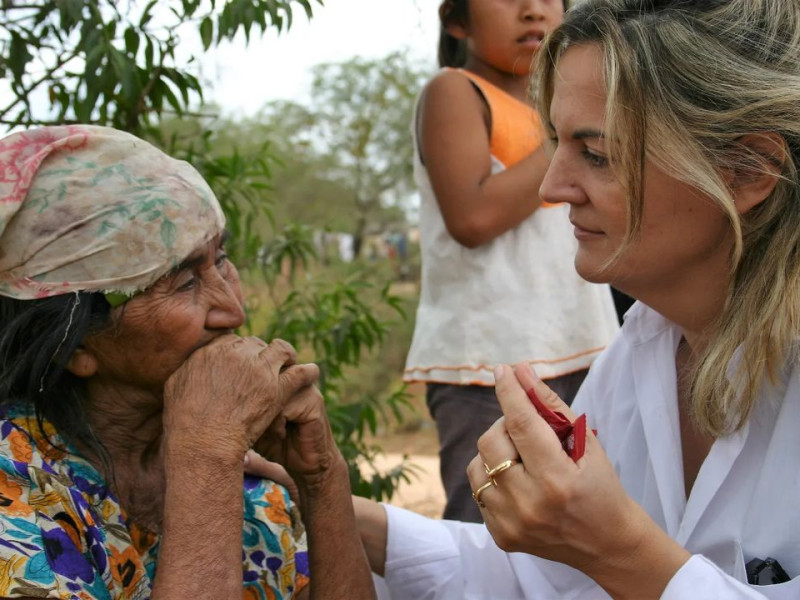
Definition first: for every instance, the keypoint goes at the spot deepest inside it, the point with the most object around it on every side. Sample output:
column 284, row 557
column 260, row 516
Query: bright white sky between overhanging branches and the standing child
column 277, row 66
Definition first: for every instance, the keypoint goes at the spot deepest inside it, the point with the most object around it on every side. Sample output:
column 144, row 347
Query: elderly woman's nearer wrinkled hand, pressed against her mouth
column 227, row 393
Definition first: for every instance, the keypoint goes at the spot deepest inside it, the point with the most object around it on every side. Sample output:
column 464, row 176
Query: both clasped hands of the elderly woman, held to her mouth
column 240, row 393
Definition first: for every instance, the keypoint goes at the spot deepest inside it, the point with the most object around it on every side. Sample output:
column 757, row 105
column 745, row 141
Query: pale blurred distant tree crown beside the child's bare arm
column 355, row 133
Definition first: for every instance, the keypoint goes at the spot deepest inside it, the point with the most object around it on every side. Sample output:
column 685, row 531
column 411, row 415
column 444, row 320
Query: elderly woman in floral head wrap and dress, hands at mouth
column 127, row 404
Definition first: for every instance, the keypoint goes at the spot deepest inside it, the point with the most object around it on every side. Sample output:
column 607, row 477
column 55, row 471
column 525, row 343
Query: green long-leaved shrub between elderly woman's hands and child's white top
column 339, row 323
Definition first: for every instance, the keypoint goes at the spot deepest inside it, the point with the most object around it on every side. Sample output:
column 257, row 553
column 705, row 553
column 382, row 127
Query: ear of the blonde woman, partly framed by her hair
column 754, row 184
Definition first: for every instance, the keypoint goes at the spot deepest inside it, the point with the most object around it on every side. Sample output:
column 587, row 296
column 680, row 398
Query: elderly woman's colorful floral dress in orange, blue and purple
column 64, row 535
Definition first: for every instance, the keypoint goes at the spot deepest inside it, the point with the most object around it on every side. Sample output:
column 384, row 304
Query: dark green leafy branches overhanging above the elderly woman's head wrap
column 114, row 63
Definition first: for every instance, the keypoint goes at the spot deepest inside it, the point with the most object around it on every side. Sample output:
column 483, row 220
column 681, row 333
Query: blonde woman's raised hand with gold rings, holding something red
column 573, row 513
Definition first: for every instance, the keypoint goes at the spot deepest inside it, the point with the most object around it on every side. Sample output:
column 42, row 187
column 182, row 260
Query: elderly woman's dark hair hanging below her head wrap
column 37, row 339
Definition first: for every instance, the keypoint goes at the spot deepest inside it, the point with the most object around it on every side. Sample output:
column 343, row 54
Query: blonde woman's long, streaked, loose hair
column 686, row 80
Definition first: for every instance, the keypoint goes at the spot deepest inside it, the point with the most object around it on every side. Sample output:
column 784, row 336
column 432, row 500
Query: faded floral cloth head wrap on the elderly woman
column 85, row 208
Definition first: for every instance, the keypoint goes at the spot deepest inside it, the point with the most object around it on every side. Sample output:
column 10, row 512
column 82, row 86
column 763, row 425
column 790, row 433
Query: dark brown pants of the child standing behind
column 462, row 414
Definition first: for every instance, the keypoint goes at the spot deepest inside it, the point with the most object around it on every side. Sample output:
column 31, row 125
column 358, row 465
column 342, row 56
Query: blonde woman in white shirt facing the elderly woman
column 676, row 140
